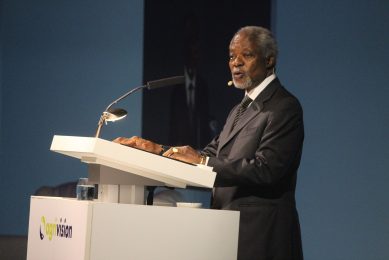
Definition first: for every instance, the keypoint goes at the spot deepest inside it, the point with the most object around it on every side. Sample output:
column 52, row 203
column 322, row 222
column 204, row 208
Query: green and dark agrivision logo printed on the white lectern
column 56, row 229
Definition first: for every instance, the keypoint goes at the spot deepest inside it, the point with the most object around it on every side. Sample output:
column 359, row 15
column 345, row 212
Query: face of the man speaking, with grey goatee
column 247, row 66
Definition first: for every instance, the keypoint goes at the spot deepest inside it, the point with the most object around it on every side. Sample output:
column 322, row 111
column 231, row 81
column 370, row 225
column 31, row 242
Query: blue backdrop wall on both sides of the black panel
column 65, row 61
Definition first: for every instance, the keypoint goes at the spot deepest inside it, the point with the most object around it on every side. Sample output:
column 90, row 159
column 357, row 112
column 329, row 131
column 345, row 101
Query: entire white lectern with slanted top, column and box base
column 114, row 227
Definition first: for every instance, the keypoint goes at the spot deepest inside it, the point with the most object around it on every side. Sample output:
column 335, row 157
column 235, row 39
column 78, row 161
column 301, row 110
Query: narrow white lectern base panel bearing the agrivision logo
column 58, row 229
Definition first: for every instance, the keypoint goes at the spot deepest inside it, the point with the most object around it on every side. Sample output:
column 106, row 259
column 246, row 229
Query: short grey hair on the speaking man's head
column 263, row 40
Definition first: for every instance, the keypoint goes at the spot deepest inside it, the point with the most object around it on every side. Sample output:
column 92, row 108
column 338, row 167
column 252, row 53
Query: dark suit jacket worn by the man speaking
column 256, row 167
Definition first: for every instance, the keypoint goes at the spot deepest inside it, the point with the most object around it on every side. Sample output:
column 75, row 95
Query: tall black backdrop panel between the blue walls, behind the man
column 191, row 38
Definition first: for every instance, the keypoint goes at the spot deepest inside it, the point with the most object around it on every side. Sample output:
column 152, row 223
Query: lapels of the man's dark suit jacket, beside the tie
column 252, row 111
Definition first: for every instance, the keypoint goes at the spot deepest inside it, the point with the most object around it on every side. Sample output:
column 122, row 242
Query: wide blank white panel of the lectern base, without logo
column 164, row 233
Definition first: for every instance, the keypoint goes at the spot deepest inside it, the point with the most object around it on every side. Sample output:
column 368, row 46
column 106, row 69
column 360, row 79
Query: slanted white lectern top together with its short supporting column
column 122, row 172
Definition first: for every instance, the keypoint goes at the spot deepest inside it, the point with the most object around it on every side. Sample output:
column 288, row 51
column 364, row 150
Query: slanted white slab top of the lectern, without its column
column 134, row 161
